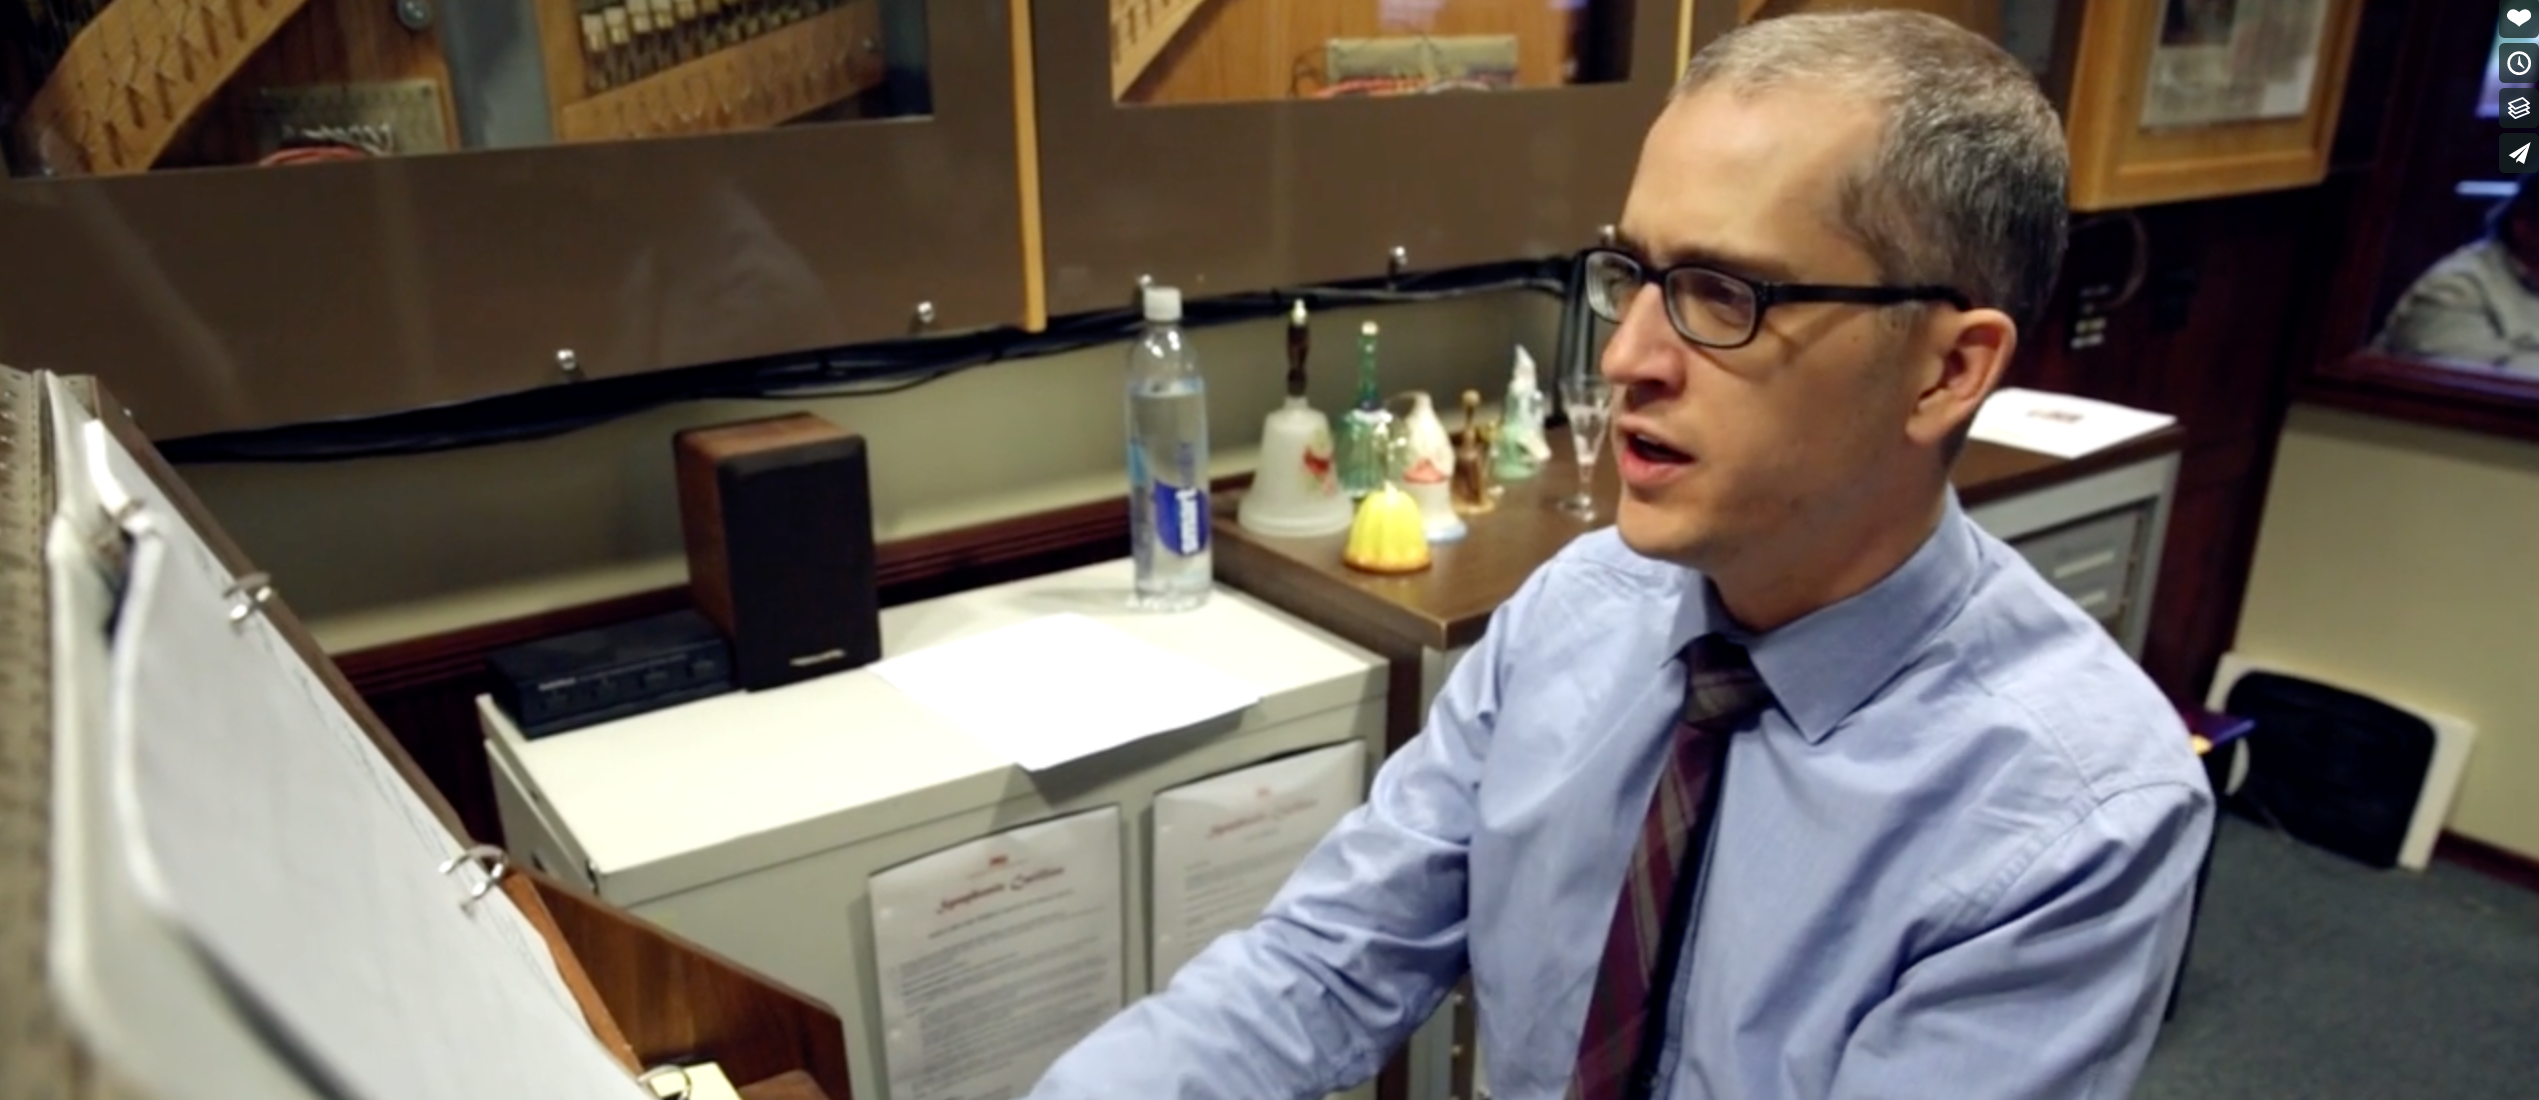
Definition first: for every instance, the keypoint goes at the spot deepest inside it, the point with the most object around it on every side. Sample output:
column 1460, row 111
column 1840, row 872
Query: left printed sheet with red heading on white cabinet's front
column 999, row 956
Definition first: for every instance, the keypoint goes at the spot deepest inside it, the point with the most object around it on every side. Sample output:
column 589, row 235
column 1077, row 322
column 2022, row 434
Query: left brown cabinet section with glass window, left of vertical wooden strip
column 311, row 210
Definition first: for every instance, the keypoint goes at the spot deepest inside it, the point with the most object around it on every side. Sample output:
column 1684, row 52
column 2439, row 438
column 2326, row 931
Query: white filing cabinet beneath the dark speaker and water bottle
column 755, row 822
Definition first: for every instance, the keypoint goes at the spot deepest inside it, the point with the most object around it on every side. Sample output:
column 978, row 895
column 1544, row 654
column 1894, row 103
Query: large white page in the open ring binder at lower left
column 301, row 873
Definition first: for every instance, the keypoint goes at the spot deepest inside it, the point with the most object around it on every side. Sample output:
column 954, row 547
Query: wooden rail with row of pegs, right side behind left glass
column 755, row 85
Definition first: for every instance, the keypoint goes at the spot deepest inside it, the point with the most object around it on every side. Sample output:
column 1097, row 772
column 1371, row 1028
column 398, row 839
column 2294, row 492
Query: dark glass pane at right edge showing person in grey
column 2462, row 276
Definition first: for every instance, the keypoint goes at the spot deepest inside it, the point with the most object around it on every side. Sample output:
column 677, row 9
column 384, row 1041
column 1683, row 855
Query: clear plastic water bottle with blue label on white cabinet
column 1169, row 461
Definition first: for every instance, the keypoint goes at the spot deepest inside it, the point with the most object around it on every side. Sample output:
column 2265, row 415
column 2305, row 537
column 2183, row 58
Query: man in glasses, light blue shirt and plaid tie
column 1956, row 829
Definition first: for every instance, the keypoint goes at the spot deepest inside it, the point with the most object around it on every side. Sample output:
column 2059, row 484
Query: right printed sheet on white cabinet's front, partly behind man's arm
column 1228, row 845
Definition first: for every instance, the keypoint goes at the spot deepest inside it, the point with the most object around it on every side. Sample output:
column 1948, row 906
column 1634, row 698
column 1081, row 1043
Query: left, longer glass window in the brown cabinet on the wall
column 95, row 88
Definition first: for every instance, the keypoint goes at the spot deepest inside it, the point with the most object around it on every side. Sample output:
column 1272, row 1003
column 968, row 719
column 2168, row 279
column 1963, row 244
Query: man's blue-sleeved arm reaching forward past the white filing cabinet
column 1347, row 962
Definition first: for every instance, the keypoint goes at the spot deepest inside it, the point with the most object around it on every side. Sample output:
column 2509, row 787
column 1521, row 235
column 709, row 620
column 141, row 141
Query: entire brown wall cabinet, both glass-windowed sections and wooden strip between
column 286, row 212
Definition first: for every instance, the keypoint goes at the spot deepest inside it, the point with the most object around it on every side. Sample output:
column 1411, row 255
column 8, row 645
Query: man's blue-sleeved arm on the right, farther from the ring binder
column 2063, row 987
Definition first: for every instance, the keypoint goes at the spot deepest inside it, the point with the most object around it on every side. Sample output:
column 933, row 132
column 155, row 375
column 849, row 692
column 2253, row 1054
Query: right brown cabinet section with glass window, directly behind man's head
column 1233, row 146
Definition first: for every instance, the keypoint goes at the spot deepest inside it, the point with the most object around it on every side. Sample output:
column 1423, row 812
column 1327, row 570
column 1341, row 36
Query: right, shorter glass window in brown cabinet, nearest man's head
column 1192, row 52
